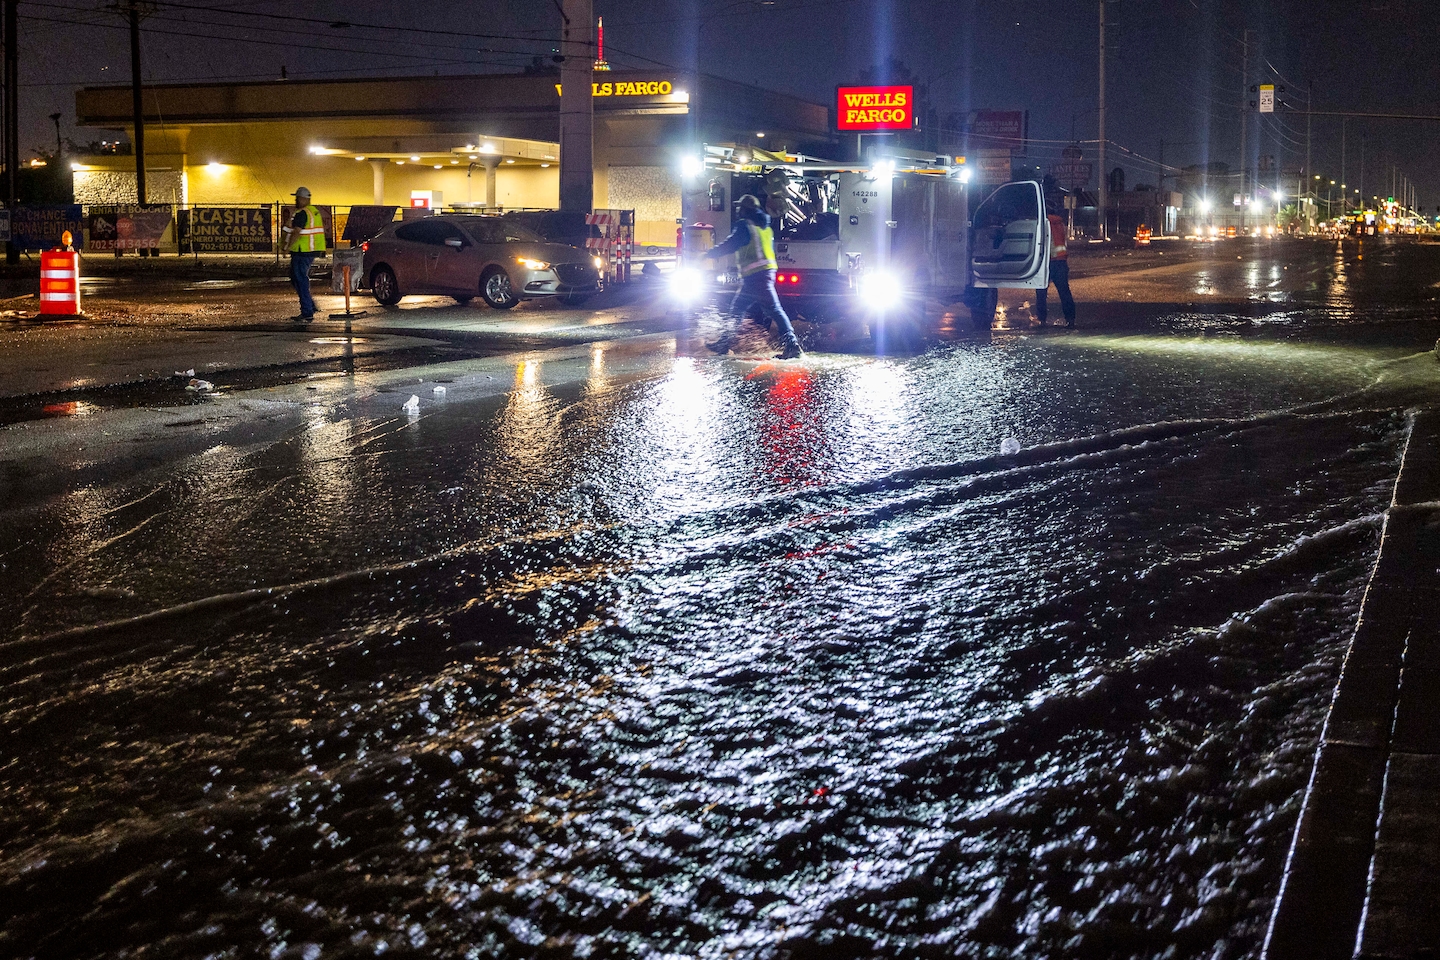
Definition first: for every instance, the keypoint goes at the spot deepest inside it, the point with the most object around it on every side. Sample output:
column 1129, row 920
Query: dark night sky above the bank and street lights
column 1174, row 65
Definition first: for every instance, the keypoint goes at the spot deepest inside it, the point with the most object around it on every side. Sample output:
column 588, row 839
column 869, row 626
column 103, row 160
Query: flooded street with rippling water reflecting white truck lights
column 637, row 653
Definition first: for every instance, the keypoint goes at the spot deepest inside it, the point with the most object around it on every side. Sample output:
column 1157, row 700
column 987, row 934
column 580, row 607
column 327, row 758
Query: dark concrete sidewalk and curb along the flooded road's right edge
column 1364, row 871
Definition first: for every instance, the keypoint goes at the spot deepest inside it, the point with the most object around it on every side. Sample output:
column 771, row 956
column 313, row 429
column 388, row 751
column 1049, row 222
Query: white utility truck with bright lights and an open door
column 866, row 243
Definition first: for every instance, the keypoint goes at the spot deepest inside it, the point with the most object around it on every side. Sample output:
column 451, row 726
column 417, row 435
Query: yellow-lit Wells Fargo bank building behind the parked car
column 483, row 142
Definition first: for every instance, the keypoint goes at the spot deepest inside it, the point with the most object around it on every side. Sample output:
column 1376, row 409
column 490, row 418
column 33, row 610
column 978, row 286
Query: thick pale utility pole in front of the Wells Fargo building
column 577, row 107
